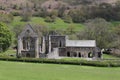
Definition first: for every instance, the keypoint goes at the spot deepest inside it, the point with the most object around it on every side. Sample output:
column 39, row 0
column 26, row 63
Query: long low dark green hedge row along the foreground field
column 100, row 63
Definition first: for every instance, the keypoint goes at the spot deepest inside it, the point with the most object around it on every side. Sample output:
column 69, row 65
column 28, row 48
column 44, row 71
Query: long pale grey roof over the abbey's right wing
column 80, row 43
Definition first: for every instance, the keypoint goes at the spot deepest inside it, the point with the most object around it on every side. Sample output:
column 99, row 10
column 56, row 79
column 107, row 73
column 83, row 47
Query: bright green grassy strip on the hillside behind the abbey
column 58, row 24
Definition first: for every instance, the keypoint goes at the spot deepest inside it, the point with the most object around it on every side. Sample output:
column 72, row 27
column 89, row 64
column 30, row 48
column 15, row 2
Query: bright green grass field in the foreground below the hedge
column 31, row 71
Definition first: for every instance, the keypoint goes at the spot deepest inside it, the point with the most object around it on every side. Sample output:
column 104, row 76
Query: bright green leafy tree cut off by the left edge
column 5, row 37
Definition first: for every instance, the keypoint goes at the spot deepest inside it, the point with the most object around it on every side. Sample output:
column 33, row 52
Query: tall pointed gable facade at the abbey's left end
column 28, row 43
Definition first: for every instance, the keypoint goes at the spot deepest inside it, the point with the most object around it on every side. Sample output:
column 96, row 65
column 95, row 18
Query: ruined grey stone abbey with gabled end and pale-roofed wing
column 53, row 46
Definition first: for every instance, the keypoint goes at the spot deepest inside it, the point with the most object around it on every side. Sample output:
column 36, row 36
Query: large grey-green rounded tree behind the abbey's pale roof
column 98, row 29
